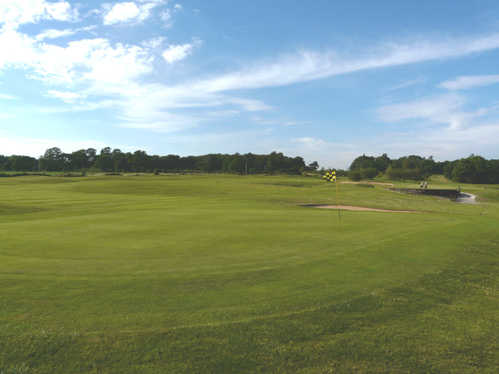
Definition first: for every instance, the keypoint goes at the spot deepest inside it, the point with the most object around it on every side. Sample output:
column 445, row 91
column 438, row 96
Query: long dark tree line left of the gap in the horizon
column 114, row 160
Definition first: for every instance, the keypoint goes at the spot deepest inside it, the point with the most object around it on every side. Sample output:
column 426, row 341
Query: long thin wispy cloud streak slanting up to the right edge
column 310, row 65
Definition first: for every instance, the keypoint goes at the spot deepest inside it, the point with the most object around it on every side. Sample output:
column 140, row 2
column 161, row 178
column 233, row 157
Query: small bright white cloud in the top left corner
column 14, row 13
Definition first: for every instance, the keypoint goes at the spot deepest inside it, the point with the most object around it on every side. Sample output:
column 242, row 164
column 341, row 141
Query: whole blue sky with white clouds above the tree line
column 326, row 80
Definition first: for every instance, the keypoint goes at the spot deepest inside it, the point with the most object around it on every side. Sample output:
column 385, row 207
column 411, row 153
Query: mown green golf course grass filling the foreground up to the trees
column 214, row 274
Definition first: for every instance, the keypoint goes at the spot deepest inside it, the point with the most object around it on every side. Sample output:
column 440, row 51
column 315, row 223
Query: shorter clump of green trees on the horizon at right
column 473, row 169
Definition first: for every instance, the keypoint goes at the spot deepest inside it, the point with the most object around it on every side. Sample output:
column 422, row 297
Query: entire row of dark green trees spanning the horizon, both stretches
column 473, row 169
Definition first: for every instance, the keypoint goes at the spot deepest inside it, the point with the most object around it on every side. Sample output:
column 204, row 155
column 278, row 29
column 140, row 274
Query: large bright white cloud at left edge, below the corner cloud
column 86, row 60
